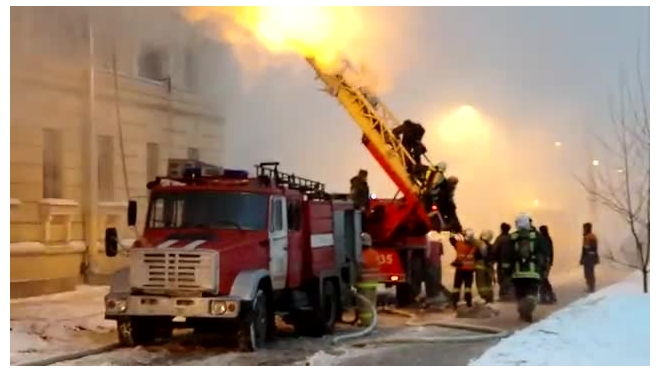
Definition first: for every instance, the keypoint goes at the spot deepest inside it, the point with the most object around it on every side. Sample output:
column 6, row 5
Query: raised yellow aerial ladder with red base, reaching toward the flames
column 376, row 122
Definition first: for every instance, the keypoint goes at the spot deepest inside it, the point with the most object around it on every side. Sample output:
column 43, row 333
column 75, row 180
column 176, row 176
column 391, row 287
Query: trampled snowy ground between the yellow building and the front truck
column 52, row 325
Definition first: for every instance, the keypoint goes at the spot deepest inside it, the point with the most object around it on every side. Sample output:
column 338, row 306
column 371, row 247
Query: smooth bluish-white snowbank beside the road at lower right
column 610, row 328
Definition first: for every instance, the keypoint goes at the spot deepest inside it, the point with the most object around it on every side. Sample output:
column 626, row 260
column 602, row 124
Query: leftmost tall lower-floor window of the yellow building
column 52, row 163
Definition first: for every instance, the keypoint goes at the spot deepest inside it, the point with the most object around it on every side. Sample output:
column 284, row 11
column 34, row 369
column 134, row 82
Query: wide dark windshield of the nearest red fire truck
column 208, row 209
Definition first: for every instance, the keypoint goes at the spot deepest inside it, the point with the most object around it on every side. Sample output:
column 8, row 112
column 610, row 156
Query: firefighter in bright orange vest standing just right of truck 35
column 464, row 264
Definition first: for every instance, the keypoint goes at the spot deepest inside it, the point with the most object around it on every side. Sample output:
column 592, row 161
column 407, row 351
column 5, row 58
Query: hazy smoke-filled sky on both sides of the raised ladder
column 532, row 76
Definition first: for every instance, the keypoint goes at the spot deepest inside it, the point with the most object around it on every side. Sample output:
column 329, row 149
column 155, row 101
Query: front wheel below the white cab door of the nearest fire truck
column 253, row 329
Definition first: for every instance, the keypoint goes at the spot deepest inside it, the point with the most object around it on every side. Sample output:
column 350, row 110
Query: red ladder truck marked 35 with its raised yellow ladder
column 398, row 226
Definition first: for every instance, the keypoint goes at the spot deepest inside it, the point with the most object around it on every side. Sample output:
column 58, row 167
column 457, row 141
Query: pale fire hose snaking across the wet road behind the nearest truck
column 484, row 332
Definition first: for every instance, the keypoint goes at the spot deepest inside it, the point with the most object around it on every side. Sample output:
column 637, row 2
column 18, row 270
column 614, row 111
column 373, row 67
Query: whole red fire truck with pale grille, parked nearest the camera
column 224, row 252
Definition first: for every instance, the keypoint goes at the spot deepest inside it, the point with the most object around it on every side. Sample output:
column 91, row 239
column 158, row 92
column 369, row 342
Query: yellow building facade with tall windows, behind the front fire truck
column 100, row 99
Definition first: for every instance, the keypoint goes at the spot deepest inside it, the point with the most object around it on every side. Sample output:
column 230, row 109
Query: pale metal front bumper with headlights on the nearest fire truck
column 119, row 306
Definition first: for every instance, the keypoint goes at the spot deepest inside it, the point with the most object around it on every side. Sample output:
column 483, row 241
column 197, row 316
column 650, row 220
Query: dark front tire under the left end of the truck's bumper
column 141, row 331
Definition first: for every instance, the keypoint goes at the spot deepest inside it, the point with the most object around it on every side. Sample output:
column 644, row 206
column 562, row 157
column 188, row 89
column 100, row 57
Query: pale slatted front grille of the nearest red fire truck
column 174, row 270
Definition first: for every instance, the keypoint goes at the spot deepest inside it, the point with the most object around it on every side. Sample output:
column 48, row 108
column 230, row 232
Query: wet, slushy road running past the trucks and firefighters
column 289, row 350
